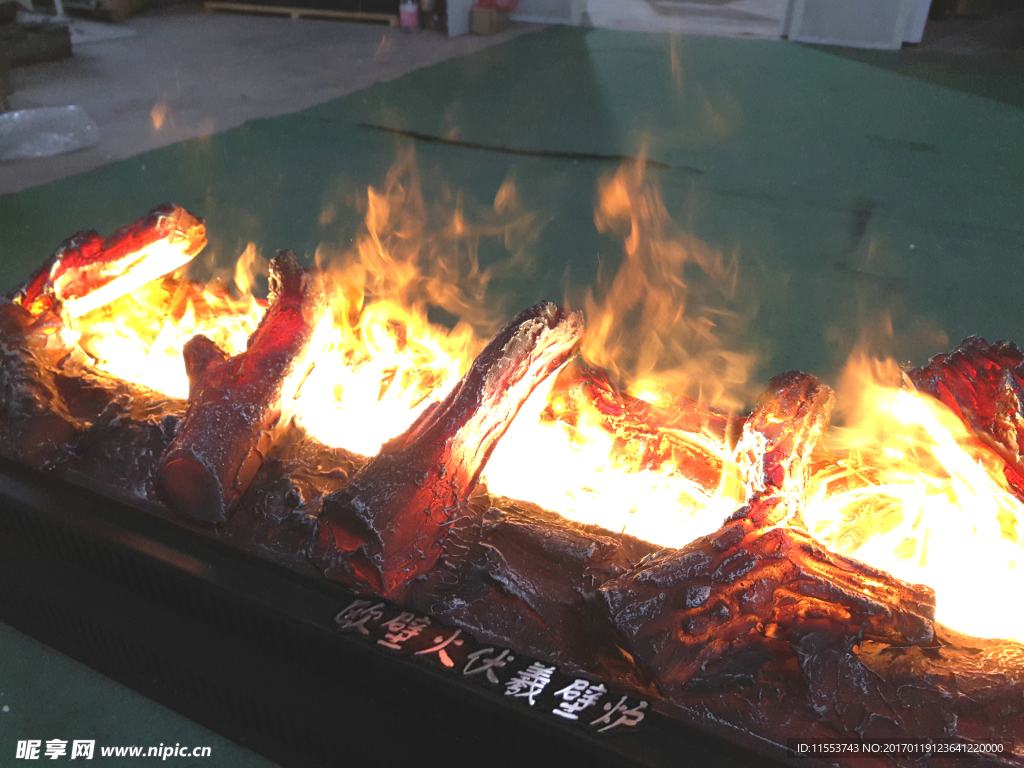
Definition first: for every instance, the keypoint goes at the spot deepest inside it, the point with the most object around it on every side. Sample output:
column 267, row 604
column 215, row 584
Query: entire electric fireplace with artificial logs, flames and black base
column 484, row 539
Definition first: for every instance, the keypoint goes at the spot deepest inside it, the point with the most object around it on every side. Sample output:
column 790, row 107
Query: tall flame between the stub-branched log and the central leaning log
column 385, row 361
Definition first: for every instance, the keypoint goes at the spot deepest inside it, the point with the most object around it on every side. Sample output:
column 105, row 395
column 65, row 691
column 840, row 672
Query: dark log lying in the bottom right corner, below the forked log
column 963, row 689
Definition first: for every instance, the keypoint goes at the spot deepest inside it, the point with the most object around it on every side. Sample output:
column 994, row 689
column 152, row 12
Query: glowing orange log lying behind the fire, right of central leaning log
column 686, row 436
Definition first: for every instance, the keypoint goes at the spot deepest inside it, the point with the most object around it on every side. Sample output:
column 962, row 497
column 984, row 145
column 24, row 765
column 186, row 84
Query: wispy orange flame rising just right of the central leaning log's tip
column 664, row 321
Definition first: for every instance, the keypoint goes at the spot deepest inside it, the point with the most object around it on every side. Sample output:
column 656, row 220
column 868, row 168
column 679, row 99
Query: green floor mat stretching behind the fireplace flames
column 845, row 191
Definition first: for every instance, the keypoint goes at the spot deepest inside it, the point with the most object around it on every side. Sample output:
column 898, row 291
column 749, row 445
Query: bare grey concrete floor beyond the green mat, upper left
column 186, row 74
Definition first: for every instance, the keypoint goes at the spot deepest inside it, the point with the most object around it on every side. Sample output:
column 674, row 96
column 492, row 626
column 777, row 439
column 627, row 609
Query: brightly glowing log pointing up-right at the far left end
column 89, row 272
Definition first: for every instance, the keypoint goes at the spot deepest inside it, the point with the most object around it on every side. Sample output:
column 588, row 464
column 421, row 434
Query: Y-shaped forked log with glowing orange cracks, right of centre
column 757, row 591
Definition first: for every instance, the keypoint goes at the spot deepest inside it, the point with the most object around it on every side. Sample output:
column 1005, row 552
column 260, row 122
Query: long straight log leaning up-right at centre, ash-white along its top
column 390, row 526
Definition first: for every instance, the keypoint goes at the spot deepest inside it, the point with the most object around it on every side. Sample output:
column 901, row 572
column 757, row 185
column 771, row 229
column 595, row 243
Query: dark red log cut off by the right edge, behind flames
column 985, row 386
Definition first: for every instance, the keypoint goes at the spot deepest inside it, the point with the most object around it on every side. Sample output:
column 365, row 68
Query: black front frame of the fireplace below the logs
column 249, row 649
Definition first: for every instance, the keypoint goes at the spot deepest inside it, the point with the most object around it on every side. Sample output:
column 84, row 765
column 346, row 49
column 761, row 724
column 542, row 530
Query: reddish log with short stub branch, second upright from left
column 236, row 404
